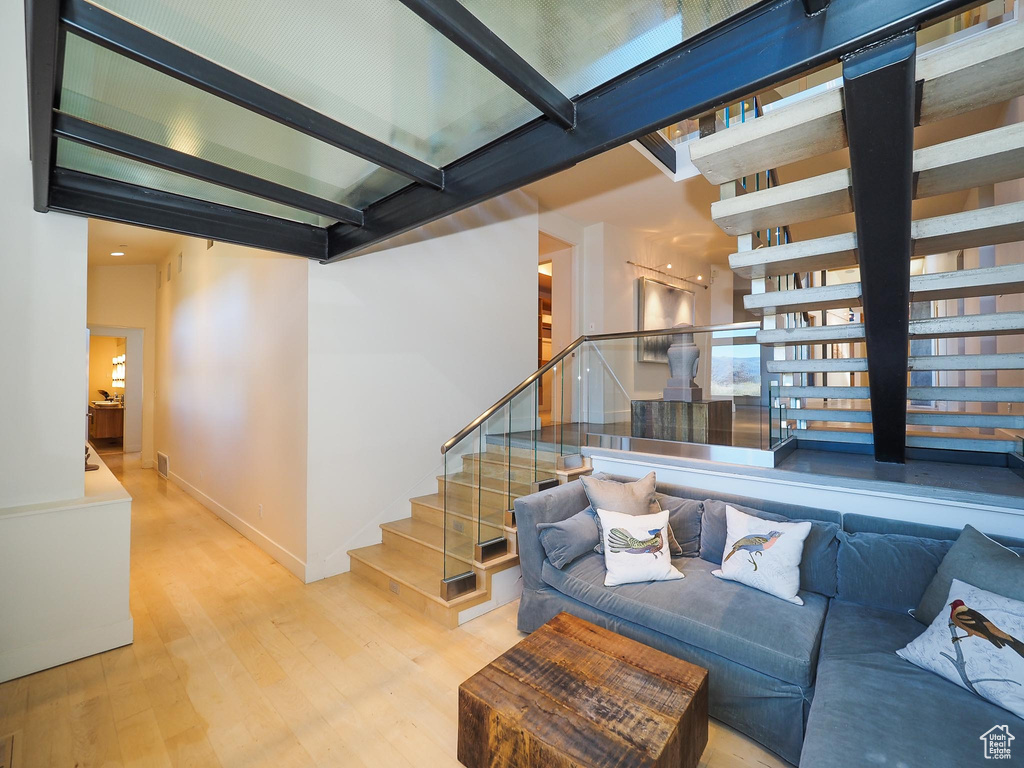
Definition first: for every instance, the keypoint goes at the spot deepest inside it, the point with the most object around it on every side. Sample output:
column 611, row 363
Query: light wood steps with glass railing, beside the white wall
column 417, row 552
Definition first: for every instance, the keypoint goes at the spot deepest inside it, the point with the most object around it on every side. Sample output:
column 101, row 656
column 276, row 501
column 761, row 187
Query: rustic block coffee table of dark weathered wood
column 574, row 695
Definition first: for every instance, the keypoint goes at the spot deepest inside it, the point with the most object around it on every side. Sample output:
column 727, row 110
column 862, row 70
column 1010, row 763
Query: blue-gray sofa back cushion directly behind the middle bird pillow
column 818, row 567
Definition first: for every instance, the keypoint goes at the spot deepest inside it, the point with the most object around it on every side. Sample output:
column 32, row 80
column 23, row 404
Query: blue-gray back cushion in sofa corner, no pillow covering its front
column 887, row 571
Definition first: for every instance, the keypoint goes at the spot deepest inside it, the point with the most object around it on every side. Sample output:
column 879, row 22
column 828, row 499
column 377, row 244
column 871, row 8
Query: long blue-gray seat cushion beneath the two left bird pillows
column 730, row 620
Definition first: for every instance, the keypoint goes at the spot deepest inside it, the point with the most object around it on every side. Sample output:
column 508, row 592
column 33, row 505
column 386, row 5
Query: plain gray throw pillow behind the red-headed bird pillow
column 977, row 561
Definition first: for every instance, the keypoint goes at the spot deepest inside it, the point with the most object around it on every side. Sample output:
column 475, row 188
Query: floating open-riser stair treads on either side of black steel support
column 828, row 395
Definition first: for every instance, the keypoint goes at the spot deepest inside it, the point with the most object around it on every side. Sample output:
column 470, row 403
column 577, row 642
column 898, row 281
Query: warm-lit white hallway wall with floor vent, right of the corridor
column 231, row 396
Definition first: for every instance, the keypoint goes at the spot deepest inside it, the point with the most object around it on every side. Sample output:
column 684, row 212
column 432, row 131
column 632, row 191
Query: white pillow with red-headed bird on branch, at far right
column 977, row 643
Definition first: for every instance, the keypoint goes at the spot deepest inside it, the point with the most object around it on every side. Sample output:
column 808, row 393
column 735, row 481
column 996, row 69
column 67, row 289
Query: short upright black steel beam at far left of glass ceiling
column 44, row 54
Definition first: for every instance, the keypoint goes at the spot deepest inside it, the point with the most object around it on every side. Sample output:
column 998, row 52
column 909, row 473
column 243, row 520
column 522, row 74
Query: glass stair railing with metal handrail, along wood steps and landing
column 587, row 396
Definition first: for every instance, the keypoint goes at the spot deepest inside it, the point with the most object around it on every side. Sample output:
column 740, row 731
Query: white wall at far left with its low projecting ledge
column 64, row 542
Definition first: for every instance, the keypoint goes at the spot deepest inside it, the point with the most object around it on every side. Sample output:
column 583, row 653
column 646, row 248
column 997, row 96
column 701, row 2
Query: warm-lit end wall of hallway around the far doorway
column 126, row 297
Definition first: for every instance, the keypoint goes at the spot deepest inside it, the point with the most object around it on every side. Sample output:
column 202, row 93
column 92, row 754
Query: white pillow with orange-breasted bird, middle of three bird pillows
column 763, row 554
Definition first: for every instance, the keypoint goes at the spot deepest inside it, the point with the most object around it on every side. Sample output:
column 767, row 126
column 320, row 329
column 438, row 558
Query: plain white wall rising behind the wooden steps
column 408, row 346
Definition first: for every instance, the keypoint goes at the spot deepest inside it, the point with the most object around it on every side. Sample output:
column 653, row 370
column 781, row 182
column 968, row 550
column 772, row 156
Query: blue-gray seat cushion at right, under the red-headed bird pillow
column 871, row 708
